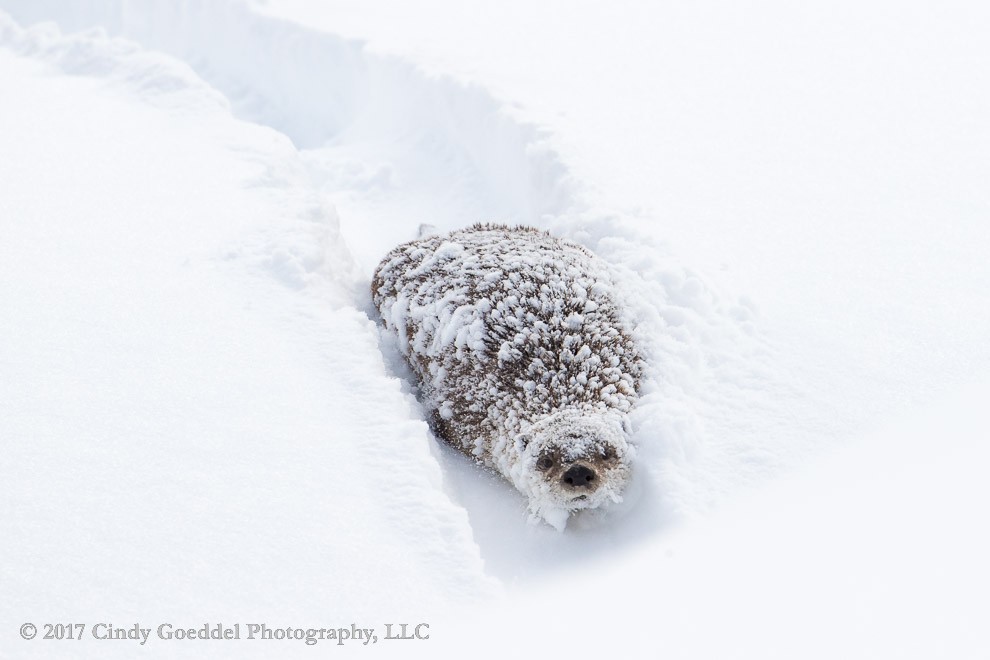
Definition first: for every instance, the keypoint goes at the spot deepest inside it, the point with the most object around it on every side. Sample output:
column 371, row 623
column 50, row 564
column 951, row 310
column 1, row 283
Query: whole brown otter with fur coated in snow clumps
column 516, row 339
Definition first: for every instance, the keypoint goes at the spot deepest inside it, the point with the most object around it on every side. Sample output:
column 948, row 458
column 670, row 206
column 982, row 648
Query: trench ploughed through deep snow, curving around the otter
column 381, row 135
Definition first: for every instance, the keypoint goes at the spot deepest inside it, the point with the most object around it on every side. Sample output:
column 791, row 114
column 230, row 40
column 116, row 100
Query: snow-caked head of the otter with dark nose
column 572, row 460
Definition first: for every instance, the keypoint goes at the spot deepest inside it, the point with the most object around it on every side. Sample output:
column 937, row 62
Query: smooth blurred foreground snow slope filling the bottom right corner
column 875, row 551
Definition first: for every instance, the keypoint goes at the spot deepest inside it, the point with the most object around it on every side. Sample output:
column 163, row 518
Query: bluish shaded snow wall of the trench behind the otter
column 313, row 85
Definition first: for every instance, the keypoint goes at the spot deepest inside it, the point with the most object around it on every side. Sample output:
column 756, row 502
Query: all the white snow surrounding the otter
column 200, row 419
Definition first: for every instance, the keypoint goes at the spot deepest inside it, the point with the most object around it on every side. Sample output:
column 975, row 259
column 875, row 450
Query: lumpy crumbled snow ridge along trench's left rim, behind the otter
column 307, row 248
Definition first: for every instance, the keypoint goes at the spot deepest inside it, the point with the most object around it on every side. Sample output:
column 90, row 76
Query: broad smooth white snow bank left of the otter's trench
column 194, row 422
